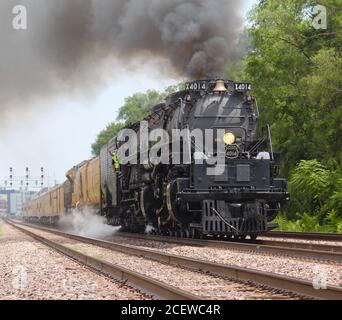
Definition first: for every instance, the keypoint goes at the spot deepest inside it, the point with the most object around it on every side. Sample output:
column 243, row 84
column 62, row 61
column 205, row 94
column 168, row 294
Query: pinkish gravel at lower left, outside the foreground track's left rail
column 30, row 270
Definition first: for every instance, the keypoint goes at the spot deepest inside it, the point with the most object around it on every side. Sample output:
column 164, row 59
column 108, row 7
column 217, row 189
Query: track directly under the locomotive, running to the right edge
column 293, row 249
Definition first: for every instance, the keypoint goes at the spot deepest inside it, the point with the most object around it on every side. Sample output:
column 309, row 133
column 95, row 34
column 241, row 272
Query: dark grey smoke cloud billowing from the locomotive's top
column 66, row 41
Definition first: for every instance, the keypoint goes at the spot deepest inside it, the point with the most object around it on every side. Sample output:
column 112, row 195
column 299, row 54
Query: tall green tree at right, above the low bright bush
column 296, row 71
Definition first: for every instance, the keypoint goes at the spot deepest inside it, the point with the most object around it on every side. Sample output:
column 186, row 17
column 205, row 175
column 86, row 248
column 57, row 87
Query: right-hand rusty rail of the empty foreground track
column 271, row 280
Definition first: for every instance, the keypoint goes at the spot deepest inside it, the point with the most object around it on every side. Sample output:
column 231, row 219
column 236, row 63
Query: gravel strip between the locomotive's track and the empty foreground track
column 290, row 266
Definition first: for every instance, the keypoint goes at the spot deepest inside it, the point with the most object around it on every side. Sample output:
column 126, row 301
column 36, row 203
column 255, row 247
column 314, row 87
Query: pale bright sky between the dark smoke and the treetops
column 58, row 132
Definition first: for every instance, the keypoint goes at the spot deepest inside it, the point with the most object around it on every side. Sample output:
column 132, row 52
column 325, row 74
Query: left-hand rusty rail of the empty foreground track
column 139, row 281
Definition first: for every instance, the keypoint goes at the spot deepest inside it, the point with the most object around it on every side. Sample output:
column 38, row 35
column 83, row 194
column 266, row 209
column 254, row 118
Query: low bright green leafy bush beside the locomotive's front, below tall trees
column 316, row 204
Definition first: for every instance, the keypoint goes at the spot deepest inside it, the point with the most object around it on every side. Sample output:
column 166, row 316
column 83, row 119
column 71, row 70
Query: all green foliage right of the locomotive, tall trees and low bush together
column 297, row 75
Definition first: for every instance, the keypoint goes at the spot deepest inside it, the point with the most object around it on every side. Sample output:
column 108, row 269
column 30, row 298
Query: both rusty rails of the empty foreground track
column 287, row 284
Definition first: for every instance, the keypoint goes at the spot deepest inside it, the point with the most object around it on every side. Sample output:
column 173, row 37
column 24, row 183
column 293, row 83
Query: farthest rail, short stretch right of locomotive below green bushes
column 305, row 235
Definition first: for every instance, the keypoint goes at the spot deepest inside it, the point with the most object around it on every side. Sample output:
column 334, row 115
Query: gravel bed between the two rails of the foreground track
column 206, row 286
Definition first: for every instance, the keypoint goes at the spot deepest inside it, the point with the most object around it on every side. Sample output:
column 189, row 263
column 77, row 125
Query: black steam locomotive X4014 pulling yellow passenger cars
column 182, row 198
